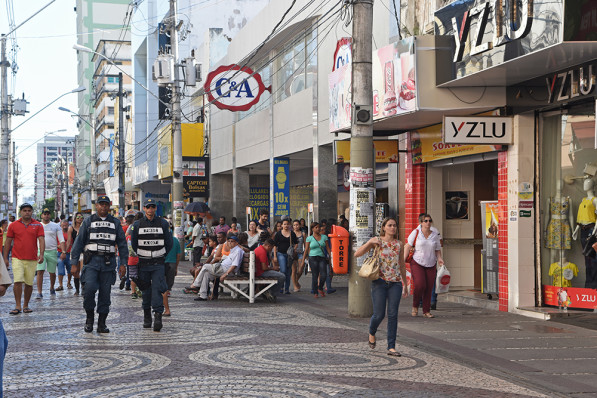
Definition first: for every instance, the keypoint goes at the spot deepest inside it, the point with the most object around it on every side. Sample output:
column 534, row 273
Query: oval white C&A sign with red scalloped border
column 234, row 88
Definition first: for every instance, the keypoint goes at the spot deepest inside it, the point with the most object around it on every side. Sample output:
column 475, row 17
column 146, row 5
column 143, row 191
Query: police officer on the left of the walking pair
column 97, row 240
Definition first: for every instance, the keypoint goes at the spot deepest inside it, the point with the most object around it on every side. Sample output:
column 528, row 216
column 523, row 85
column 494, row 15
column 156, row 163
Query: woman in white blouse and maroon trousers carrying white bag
column 423, row 265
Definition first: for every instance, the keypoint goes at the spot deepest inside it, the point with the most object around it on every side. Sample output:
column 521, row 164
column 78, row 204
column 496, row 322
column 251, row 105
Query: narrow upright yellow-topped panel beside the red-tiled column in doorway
column 490, row 223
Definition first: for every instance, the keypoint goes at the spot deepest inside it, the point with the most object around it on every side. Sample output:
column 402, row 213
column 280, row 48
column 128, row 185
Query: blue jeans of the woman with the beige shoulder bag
column 382, row 292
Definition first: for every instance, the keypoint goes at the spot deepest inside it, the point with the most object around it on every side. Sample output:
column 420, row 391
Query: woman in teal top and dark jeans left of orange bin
column 315, row 246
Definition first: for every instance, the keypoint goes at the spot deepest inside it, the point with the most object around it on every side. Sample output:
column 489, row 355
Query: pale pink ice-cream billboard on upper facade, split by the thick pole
column 394, row 90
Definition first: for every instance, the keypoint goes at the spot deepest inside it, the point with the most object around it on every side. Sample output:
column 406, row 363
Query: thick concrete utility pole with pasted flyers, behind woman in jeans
column 362, row 174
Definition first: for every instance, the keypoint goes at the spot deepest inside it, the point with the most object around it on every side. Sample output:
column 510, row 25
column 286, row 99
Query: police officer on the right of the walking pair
column 151, row 239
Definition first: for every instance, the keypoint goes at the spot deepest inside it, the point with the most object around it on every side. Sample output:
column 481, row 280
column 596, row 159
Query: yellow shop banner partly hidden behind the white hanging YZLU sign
column 427, row 145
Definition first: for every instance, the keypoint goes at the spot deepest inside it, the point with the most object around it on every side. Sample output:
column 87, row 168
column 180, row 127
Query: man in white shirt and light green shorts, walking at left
column 53, row 237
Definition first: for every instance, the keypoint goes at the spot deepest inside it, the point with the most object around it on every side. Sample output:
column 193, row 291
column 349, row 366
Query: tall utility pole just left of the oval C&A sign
column 177, row 188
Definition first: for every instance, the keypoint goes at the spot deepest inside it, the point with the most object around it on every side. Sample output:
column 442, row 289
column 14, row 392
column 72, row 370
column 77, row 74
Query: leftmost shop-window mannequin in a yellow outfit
column 557, row 234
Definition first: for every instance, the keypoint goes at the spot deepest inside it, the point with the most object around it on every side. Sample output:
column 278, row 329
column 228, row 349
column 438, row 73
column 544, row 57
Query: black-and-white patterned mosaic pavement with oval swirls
column 218, row 349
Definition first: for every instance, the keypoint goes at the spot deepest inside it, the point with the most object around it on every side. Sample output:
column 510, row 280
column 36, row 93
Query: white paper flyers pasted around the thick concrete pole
column 362, row 202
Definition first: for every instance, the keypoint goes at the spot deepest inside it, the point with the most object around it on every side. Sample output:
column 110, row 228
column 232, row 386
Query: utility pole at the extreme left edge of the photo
column 5, row 138
